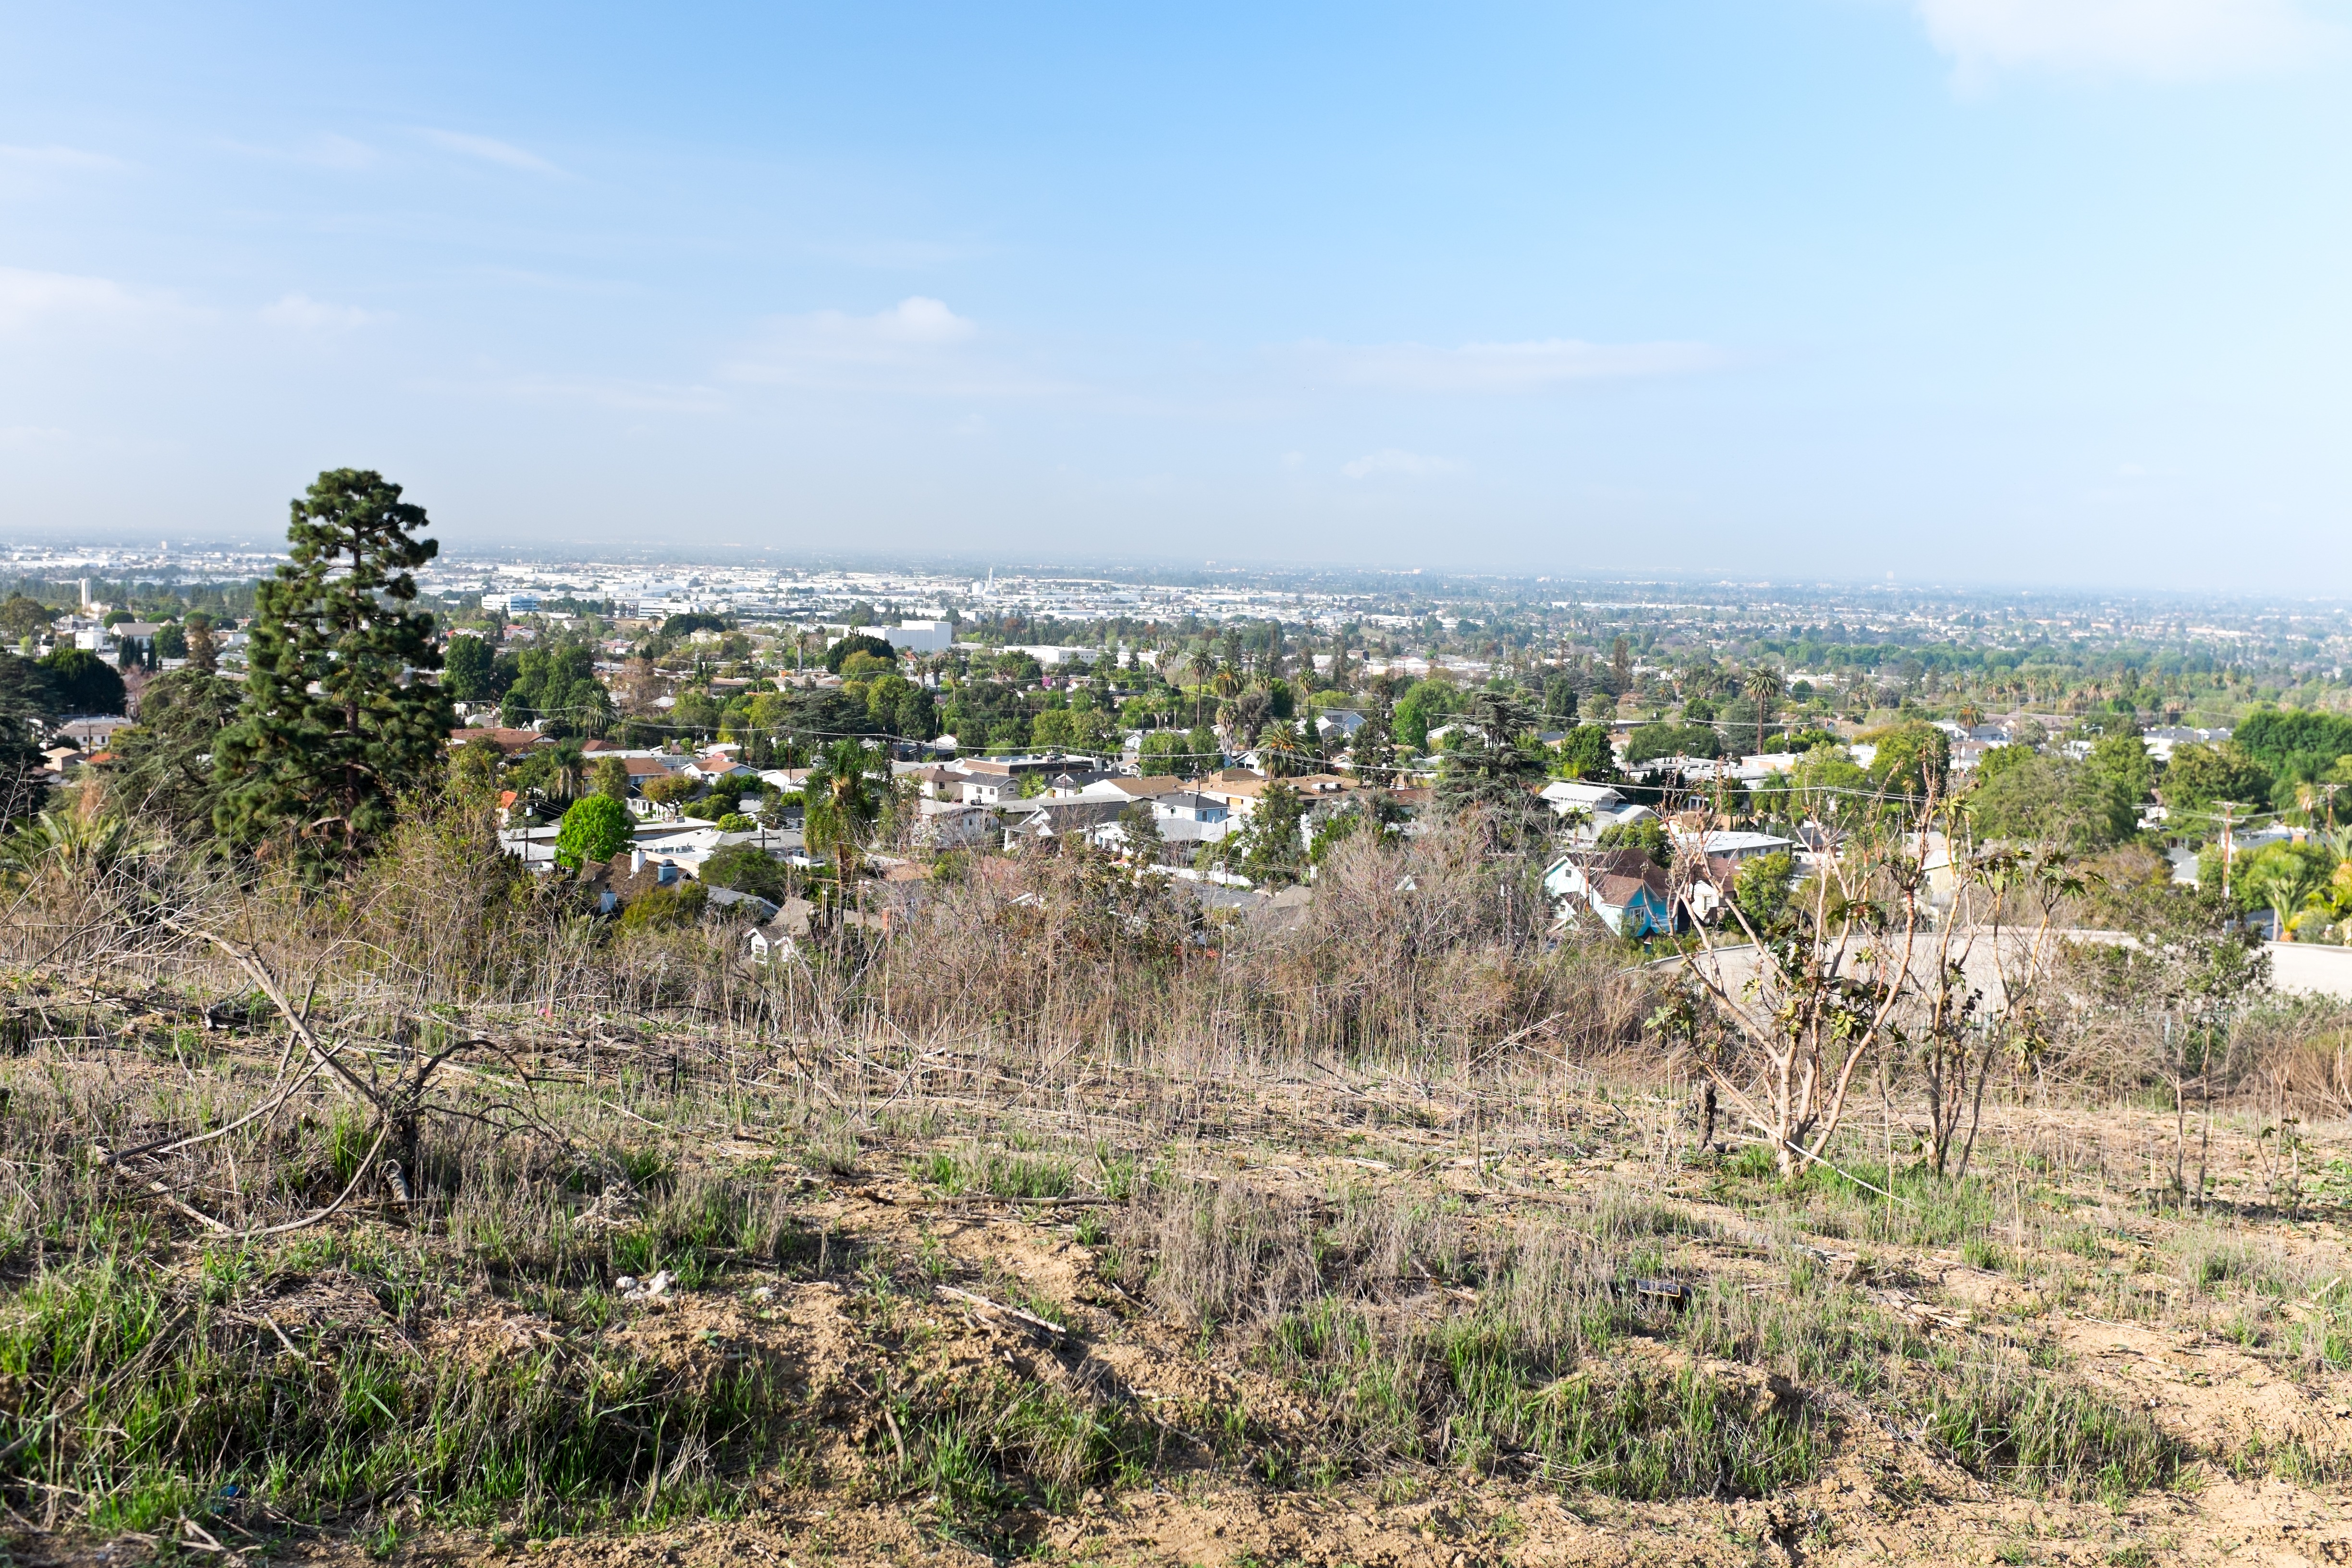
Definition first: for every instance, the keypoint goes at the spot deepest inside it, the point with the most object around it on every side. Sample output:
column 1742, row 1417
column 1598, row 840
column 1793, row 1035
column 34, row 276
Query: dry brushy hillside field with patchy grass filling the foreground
column 432, row 1224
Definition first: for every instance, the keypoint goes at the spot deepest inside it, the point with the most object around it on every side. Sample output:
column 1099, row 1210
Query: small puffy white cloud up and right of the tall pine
column 916, row 347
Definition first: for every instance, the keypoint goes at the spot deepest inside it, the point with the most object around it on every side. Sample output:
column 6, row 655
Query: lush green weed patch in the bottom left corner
column 147, row 1402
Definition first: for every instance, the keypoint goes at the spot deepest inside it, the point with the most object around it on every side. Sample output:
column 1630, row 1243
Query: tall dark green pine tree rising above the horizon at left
column 338, row 716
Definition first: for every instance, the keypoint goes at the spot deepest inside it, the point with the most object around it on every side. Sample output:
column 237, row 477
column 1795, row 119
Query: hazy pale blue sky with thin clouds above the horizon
column 2000, row 290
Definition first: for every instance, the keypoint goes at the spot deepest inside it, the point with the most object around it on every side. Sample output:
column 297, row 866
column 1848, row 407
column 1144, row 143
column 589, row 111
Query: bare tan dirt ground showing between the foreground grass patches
column 1887, row 1494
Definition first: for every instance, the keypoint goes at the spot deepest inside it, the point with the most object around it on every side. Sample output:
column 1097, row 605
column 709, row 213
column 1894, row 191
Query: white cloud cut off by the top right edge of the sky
column 2149, row 39
